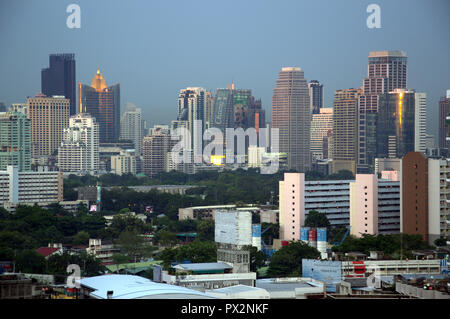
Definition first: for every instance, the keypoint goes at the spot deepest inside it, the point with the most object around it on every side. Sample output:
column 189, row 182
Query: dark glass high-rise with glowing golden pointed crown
column 103, row 103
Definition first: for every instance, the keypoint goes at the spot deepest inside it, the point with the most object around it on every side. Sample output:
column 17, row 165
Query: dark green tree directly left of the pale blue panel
column 287, row 261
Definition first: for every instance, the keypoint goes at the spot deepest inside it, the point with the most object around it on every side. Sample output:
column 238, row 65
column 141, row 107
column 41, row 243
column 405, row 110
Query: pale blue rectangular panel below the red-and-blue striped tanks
column 329, row 272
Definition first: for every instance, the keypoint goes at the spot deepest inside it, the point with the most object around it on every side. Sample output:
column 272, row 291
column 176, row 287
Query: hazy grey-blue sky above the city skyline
column 156, row 48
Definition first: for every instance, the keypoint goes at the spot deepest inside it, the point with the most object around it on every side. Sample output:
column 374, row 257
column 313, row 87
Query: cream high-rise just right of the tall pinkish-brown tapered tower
column 321, row 125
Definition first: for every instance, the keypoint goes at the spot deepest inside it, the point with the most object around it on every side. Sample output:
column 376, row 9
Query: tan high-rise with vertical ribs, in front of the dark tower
column 49, row 117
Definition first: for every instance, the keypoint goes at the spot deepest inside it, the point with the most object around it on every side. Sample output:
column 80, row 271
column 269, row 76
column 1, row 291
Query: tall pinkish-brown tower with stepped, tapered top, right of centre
column 291, row 115
